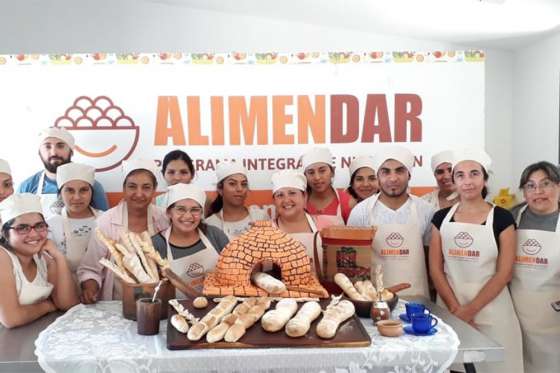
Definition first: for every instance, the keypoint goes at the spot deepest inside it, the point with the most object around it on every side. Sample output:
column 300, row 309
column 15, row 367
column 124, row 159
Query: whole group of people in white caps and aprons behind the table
column 495, row 269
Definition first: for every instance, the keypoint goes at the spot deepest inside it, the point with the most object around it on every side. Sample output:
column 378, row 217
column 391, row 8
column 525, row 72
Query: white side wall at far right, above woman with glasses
column 536, row 95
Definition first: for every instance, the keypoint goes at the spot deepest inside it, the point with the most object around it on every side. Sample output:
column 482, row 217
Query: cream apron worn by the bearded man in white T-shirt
column 399, row 248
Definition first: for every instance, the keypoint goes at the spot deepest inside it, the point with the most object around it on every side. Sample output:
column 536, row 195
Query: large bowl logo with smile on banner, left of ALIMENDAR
column 105, row 135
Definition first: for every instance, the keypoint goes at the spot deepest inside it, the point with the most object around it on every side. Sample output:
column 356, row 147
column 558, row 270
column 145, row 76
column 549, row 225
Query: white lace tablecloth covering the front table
column 97, row 338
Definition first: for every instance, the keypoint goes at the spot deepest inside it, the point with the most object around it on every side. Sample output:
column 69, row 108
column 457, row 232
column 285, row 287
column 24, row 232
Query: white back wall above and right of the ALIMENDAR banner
column 48, row 26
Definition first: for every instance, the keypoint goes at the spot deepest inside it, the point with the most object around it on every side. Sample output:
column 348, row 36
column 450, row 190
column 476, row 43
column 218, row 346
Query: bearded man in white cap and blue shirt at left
column 55, row 149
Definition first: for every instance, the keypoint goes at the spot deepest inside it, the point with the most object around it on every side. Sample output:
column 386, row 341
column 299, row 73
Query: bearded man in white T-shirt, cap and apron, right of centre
column 402, row 221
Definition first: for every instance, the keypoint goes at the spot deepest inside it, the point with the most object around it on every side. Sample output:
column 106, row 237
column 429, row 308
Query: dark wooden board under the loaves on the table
column 350, row 334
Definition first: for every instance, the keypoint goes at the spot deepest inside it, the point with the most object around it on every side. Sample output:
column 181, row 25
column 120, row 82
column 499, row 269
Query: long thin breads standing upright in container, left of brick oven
column 135, row 260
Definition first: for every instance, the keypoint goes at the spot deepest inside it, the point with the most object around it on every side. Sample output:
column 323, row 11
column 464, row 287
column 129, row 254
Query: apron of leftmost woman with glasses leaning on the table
column 36, row 290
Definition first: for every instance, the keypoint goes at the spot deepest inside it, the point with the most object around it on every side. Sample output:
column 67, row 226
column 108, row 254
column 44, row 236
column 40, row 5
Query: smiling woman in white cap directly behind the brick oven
column 289, row 195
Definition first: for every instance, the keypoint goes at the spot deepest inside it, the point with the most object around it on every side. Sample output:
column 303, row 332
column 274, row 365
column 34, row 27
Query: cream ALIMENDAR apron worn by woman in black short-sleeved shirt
column 471, row 253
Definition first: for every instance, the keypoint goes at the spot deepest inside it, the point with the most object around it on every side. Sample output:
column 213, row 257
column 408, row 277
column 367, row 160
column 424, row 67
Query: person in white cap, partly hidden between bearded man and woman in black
column 444, row 195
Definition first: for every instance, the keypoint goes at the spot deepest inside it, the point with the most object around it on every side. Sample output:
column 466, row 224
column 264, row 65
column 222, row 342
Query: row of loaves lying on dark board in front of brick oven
column 229, row 320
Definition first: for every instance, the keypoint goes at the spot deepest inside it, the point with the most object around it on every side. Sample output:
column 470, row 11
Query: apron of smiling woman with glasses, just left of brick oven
column 192, row 268
